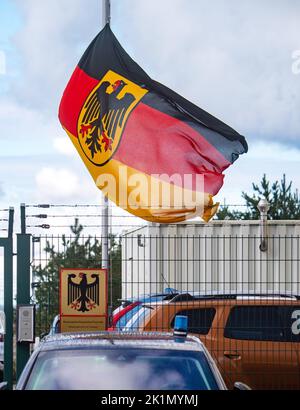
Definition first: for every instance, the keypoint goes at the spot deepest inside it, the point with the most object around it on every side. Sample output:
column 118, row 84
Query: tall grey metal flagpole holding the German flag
column 105, row 221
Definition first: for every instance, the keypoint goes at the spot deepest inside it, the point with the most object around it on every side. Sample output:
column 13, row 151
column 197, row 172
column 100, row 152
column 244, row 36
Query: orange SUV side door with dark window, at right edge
column 256, row 350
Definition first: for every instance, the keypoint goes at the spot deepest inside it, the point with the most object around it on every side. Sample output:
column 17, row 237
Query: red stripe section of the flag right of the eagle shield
column 156, row 143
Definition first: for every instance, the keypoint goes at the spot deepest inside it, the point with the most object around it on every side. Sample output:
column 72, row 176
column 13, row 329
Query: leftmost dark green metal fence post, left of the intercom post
column 7, row 243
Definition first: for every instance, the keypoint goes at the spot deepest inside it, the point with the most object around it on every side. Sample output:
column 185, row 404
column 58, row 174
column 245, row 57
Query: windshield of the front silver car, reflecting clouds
column 121, row 369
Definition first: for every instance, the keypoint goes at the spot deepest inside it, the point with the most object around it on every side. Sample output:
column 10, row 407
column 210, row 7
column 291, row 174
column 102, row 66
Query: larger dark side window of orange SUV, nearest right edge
column 262, row 323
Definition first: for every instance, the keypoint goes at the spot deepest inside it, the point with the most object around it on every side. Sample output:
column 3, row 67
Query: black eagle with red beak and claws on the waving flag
column 105, row 112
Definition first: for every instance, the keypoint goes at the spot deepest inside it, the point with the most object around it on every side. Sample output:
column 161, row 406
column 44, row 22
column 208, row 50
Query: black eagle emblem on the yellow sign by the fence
column 83, row 296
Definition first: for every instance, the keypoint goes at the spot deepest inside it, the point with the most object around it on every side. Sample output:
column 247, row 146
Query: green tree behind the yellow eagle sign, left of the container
column 72, row 252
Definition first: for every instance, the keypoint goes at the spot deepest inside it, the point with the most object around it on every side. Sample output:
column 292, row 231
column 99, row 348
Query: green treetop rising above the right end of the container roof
column 284, row 201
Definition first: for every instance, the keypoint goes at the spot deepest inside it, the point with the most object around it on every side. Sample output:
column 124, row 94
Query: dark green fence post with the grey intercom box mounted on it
column 23, row 285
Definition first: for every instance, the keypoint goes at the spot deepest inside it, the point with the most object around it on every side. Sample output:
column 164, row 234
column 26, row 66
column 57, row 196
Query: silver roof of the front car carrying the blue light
column 143, row 340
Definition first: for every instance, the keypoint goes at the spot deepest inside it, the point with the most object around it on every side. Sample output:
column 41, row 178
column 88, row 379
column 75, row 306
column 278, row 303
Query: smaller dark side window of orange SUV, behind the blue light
column 199, row 320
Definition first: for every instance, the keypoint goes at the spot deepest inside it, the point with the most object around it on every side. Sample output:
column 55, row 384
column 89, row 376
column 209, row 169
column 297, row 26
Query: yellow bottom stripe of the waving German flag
column 166, row 207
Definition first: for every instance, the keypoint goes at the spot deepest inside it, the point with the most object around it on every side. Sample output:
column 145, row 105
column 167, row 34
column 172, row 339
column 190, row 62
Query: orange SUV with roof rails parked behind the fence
column 253, row 338
